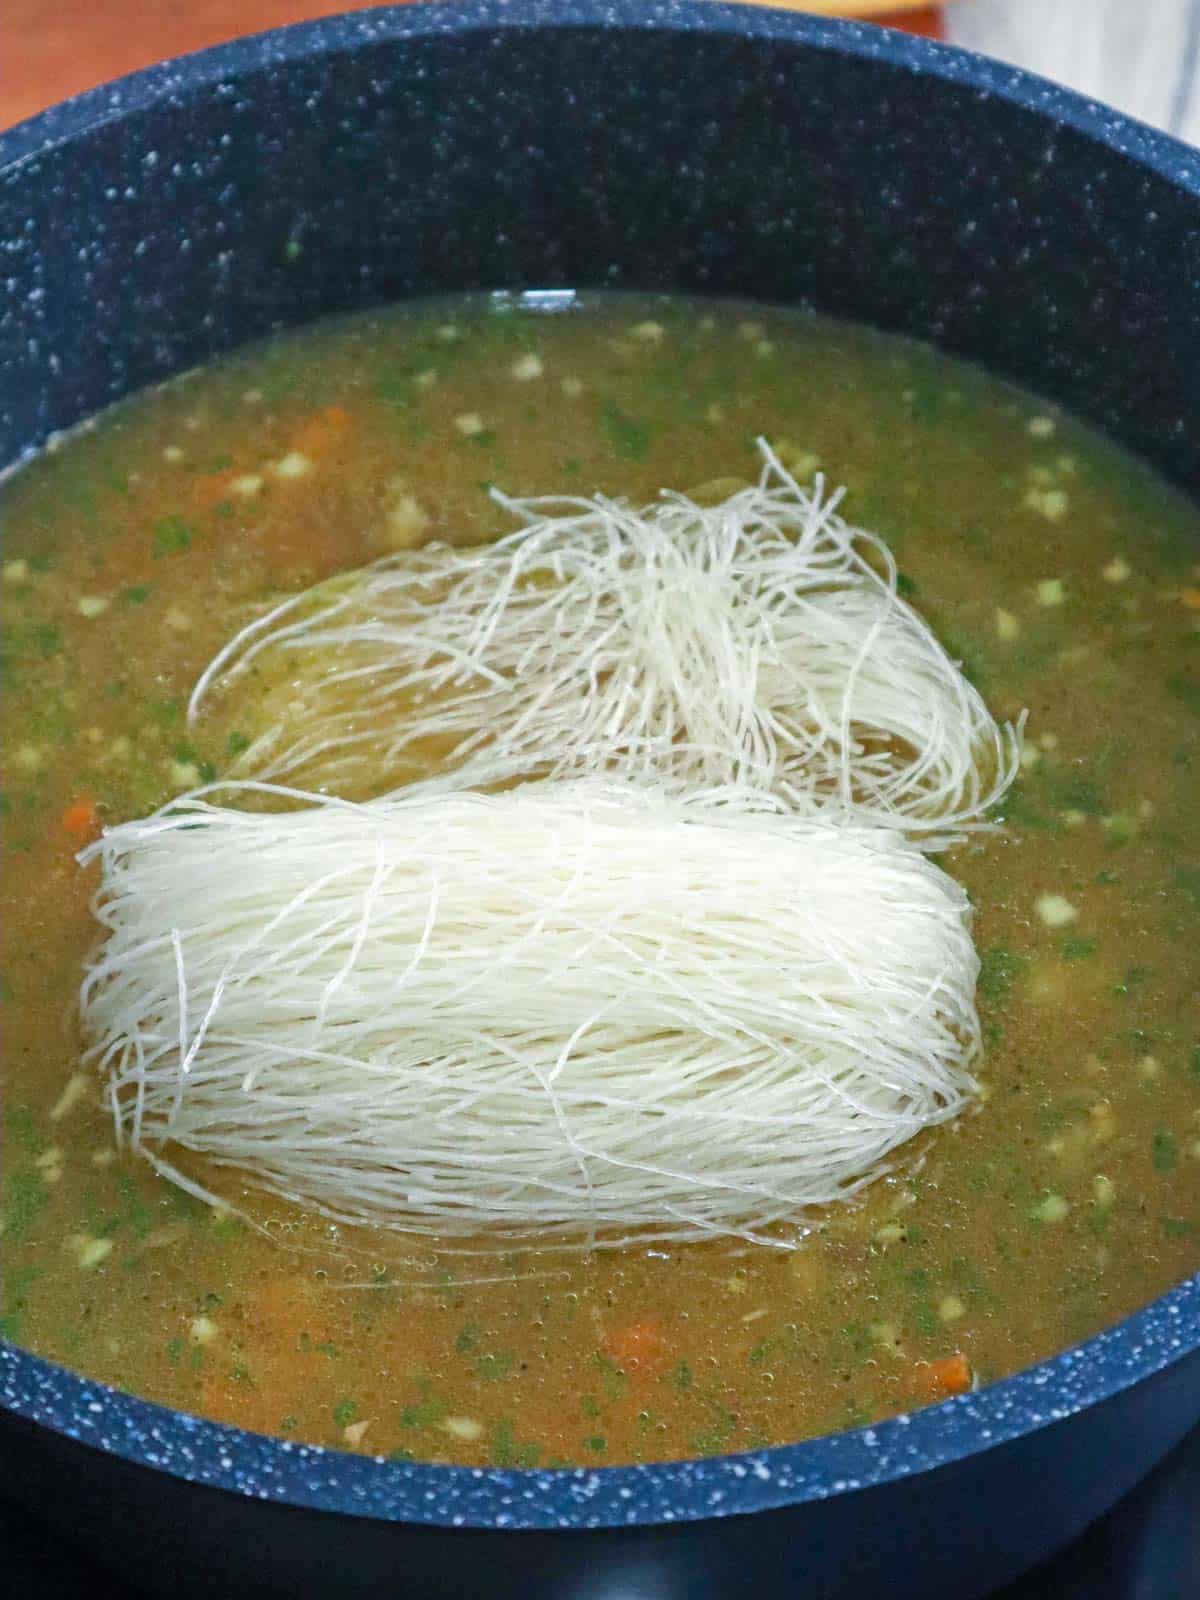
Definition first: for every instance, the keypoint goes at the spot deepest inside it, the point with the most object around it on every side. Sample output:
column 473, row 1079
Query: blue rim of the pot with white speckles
column 658, row 1494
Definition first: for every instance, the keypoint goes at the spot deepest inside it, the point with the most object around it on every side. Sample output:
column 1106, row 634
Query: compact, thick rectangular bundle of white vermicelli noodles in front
column 564, row 1010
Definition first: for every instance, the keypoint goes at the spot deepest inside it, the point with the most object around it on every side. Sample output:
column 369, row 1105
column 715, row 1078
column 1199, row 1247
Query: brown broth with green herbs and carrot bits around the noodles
column 1060, row 572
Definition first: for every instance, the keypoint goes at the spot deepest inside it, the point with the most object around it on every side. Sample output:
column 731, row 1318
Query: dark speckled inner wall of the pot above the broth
column 670, row 158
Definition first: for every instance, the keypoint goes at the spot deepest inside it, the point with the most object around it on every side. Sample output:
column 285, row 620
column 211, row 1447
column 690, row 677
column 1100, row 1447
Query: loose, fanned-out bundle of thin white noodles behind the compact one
column 759, row 642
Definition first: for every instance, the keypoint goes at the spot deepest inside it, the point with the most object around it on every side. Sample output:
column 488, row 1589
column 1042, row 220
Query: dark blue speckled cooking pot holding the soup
column 159, row 222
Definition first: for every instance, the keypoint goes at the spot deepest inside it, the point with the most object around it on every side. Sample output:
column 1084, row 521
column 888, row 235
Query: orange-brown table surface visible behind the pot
column 55, row 49
